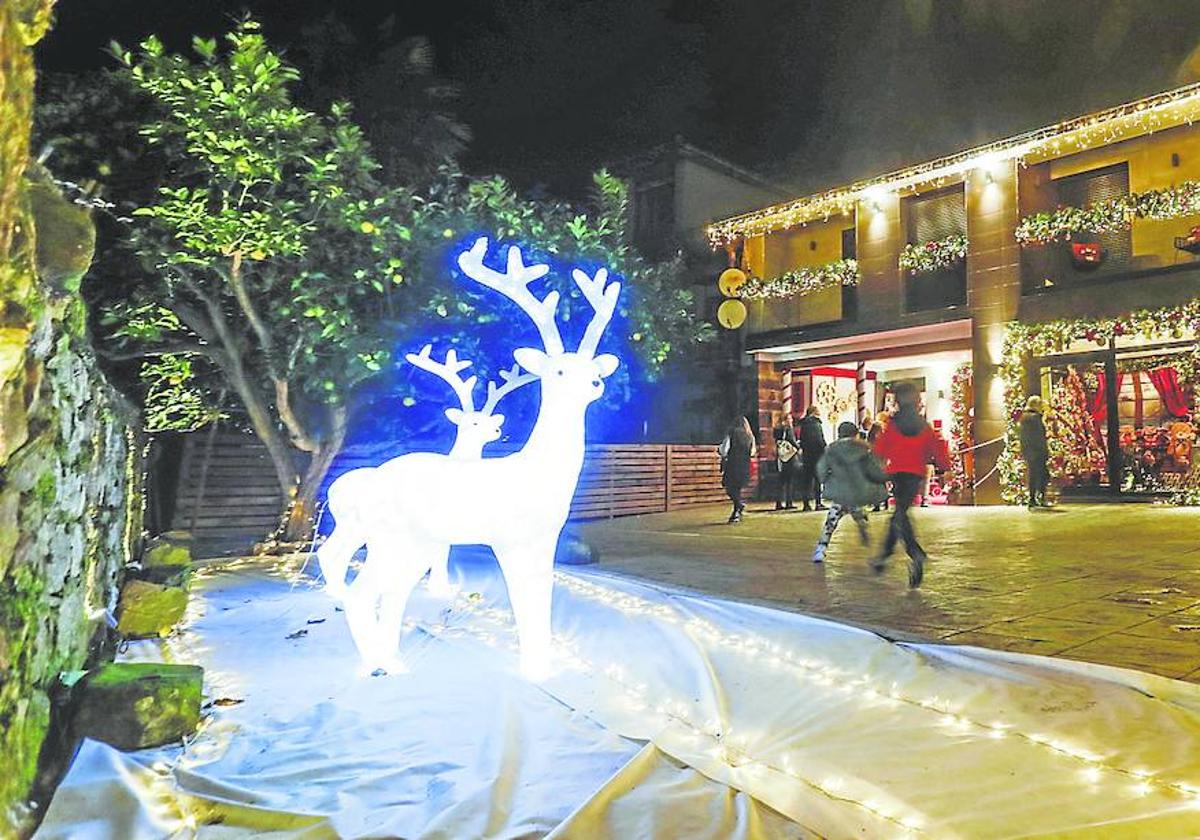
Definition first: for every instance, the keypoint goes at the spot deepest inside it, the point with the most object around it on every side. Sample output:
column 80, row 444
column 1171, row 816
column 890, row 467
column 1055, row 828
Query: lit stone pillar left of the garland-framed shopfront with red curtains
column 994, row 295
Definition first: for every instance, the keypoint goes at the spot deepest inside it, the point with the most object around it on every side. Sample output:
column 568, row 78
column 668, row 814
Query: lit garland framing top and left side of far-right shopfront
column 1023, row 341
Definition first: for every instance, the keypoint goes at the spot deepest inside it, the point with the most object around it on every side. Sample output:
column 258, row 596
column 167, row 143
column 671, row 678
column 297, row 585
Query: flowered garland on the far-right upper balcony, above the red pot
column 1109, row 215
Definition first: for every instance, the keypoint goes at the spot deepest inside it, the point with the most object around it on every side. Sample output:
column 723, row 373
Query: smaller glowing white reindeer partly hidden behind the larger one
column 476, row 430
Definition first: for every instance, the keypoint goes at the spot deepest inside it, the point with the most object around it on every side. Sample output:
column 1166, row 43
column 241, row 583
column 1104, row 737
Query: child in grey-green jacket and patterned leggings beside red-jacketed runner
column 853, row 478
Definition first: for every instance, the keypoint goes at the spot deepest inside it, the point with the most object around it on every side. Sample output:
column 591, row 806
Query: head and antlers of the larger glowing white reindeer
column 575, row 377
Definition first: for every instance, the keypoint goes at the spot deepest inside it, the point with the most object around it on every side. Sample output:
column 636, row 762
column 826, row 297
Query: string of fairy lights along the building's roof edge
column 1168, row 110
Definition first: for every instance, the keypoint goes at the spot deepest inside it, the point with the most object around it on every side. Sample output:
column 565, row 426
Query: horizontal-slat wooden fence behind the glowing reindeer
column 227, row 485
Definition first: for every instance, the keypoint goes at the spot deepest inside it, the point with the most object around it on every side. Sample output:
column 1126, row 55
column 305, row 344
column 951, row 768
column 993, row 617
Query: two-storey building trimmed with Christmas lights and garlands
column 1060, row 262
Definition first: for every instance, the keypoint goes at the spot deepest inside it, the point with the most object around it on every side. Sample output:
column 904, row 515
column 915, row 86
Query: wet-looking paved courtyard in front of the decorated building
column 1118, row 585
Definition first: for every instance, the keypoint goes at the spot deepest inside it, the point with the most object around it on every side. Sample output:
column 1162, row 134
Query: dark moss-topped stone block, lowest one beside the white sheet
column 134, row 706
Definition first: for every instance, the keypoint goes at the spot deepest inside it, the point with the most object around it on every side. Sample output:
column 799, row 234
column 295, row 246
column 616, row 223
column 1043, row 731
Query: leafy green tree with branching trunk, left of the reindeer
column 268, row 255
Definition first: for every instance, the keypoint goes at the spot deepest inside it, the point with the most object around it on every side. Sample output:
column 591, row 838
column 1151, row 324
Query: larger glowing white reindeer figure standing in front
column 518, row 505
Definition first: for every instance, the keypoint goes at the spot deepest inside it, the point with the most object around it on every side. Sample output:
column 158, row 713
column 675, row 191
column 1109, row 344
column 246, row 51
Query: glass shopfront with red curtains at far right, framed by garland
column 1120, row 421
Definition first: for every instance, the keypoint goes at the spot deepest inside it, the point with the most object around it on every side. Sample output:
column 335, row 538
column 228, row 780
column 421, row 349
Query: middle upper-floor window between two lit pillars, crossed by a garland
column 928, row 219
